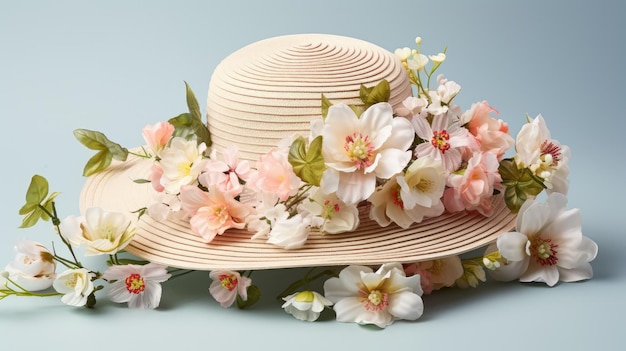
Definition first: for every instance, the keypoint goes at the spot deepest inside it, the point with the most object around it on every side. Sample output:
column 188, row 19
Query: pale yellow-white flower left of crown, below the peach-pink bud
column 181, row 163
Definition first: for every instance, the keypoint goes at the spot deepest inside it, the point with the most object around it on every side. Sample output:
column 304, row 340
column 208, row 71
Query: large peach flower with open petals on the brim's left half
column 212, row 212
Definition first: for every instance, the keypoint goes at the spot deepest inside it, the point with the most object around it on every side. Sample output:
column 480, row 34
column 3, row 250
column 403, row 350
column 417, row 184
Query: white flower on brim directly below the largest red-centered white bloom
column 336, row 216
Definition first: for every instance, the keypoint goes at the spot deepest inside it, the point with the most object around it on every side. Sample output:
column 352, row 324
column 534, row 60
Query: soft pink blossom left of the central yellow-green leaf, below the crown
column 275, row 175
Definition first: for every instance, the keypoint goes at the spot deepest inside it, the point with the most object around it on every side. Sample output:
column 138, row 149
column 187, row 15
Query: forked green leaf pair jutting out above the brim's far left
column 107, row 150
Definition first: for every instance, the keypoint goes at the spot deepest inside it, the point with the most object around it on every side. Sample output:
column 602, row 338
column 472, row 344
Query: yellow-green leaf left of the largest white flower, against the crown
column 308, row 165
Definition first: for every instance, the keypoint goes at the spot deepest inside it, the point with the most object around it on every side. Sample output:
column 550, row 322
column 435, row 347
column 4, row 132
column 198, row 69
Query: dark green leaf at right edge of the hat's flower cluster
column 519, row 184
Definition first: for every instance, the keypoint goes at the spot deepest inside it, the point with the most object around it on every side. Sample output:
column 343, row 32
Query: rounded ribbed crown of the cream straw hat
column 271, row 89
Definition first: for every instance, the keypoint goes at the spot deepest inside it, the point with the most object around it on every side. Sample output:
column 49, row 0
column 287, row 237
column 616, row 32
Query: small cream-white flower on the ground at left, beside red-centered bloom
column 76, row 285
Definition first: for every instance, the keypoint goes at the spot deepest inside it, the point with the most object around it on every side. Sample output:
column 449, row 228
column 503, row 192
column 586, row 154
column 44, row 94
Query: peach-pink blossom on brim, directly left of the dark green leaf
column 473, row 188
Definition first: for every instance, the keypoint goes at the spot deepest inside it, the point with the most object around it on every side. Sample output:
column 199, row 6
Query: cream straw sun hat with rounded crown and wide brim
column 257, row 96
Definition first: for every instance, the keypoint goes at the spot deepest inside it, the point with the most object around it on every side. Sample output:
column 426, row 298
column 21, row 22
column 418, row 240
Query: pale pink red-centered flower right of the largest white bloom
column 444, row 140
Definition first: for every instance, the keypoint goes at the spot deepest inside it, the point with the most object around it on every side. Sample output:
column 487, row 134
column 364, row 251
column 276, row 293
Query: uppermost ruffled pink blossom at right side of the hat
column 492, row 134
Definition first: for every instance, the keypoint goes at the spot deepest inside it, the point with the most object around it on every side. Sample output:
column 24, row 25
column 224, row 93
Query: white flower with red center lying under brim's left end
column 138, row 285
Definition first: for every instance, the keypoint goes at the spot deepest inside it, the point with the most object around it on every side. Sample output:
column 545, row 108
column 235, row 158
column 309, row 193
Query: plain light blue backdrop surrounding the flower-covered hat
column 116, row 66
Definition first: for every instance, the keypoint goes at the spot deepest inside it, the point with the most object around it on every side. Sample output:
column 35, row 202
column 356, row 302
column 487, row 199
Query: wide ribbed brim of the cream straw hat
column 172, row 243
